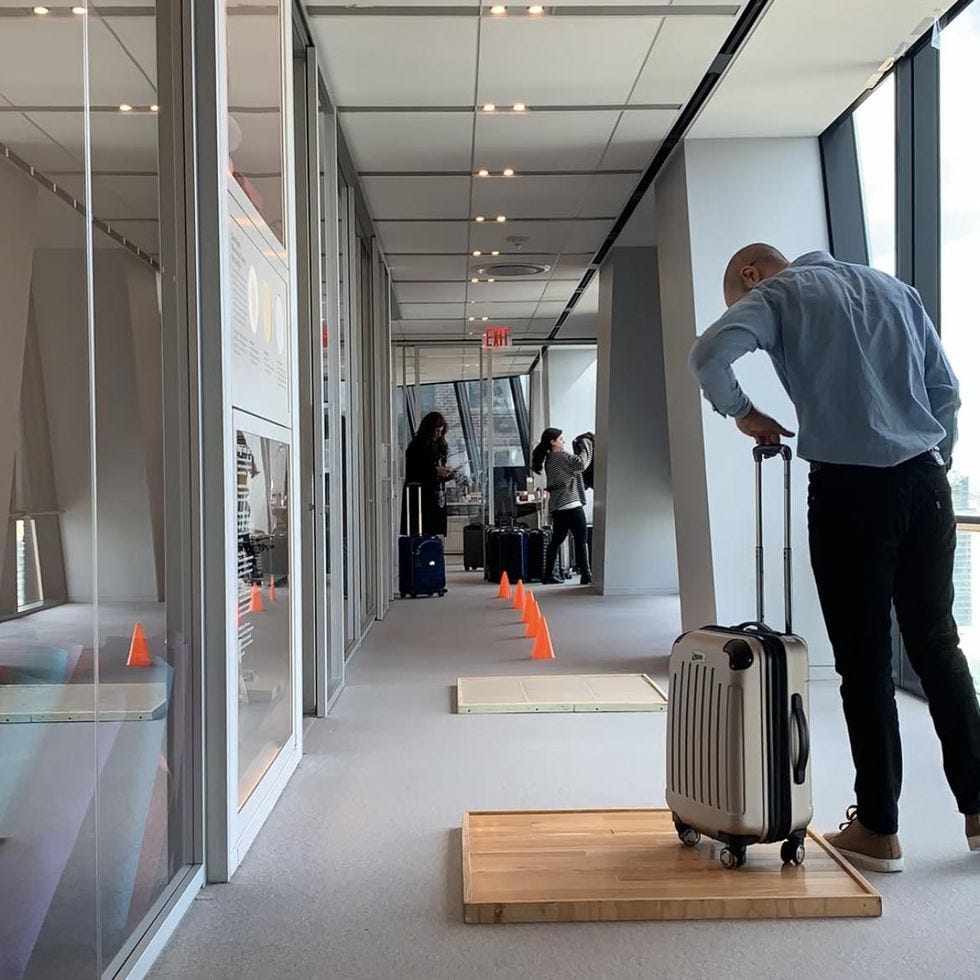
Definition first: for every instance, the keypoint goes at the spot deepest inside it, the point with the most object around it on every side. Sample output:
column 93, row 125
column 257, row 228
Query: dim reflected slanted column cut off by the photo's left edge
column 18, row 201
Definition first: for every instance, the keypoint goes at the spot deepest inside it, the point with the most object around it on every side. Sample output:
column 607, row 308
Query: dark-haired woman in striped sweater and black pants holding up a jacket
column 566, row 489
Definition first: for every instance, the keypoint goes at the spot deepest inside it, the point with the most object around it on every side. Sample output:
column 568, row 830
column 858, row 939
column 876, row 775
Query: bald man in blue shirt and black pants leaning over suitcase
column 876, row 401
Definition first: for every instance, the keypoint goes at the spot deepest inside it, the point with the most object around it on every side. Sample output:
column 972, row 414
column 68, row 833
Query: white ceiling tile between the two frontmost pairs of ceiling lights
column 558, row 61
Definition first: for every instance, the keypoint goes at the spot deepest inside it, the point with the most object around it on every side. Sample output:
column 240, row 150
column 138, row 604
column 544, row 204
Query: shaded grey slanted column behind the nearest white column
column 634, row 541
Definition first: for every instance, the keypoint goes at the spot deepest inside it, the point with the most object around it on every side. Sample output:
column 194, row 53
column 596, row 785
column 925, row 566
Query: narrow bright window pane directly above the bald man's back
column 874, row 127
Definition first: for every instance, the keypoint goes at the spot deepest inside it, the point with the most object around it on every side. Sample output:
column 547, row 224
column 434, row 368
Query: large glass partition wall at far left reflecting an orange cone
column 98, row 658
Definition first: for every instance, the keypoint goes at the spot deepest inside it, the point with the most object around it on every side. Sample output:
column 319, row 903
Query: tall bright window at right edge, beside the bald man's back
column 960, row 250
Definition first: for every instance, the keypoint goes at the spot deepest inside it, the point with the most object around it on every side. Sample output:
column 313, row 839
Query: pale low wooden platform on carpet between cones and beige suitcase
column 558, row 693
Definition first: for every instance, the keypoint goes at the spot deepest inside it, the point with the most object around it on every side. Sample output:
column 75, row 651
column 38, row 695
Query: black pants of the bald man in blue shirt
column 878, row 537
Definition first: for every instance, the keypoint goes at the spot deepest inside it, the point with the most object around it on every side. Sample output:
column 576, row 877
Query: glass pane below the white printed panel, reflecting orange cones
column 265, row 717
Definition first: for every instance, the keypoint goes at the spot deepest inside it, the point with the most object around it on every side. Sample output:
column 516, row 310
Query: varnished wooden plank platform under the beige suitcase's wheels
column 628, row 865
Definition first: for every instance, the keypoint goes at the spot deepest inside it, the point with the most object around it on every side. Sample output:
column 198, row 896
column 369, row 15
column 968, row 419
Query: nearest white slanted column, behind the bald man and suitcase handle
column 714, row 197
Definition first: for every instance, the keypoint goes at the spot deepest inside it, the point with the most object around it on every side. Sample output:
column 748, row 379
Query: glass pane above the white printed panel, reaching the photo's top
column 255, row 131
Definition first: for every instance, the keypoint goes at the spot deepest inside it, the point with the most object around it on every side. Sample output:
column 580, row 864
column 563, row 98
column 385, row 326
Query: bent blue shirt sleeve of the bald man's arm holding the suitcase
column 750, row 324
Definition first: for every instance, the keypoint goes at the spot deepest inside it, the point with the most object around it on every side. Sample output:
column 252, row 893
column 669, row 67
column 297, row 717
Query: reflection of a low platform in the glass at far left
column 39, row 703
